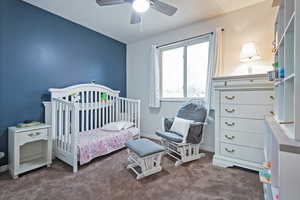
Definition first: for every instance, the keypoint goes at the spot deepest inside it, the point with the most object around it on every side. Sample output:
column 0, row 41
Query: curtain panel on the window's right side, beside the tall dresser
column 215, row 67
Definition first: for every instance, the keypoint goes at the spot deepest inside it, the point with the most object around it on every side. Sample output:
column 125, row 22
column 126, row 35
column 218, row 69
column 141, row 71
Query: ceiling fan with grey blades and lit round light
column 141, row 6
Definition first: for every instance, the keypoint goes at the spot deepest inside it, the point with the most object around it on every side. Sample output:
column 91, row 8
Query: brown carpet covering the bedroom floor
column 107, row 179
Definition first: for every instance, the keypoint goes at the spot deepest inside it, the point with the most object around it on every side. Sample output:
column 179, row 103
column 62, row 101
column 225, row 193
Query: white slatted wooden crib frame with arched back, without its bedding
column 81, row 108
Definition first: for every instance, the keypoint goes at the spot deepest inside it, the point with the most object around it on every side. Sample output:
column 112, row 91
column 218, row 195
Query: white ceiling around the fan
column 113, row 21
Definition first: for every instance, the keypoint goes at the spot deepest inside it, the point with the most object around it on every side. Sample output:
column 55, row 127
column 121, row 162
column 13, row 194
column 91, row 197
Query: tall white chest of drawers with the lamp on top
column 241, row 103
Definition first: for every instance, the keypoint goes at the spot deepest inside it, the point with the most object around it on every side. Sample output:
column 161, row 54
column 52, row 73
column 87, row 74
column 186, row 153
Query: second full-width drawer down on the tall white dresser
column 246, row 111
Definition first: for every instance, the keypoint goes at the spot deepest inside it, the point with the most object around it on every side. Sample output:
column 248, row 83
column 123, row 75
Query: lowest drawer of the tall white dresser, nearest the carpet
column 243, row 153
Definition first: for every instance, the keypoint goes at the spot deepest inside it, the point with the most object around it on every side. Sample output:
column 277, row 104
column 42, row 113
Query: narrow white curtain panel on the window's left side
column 154, row 83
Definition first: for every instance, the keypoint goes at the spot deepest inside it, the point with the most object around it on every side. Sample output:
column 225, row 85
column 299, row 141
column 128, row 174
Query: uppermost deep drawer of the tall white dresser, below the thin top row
column 263, row 97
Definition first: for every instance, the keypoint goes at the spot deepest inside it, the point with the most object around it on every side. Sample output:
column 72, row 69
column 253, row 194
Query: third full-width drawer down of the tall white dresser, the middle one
column 247, row 125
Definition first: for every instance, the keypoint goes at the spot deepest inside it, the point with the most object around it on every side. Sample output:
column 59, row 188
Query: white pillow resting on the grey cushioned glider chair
column 181, row 127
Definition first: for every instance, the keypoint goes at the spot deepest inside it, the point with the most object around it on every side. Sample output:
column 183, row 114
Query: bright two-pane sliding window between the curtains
column 184, row 68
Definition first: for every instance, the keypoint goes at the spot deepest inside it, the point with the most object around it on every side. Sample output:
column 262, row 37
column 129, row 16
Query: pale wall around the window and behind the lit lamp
column 254, row 23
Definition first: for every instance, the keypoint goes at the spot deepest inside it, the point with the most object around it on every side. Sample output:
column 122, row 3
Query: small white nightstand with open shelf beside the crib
column 29, row 148
